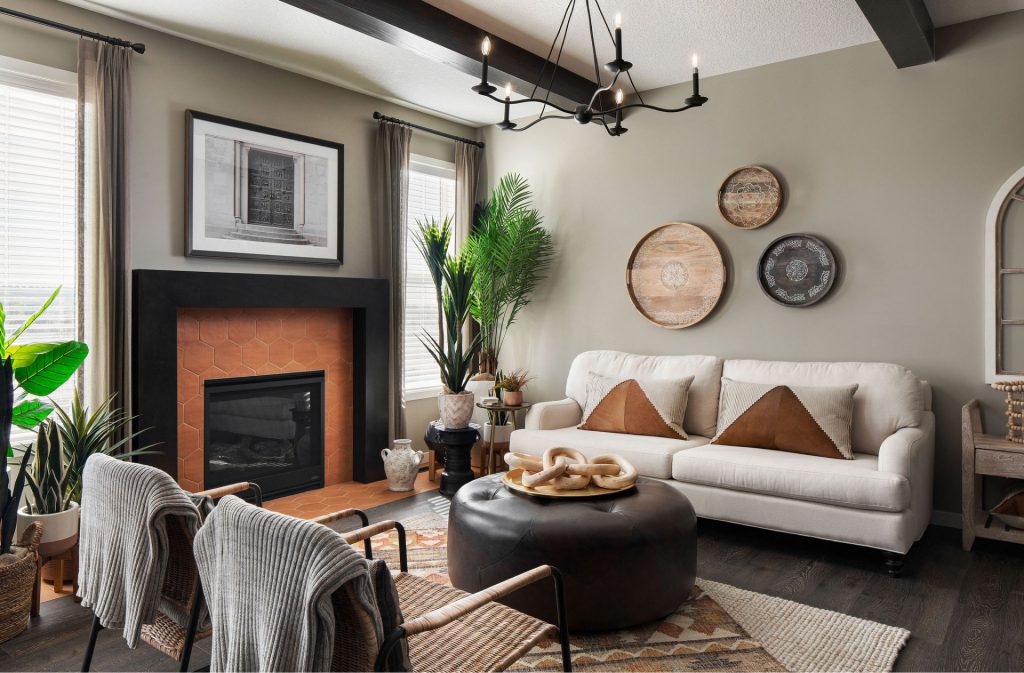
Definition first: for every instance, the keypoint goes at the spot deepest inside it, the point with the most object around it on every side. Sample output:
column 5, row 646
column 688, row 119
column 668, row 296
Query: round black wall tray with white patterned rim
column 797, row 270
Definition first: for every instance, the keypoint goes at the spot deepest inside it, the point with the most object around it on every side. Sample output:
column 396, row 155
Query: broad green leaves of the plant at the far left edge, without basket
column 37, row 369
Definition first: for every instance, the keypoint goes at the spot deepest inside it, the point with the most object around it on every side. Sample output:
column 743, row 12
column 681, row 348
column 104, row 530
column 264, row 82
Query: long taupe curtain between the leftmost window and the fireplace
column 104, row 265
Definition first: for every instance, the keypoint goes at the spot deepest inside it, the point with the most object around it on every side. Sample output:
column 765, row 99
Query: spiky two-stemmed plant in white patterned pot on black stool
column 453, row 276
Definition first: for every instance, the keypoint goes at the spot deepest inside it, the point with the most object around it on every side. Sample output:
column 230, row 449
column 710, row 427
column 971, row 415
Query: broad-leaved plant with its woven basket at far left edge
column 27, row 371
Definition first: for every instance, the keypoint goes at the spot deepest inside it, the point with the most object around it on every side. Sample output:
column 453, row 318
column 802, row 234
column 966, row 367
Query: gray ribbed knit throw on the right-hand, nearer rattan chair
column 269, row 581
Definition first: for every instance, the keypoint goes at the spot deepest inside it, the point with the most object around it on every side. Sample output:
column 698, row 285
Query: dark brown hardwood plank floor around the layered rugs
column 965, row 611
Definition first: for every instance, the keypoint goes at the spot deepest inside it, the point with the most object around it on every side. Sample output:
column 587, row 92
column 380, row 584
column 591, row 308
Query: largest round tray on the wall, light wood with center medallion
column 675, row 276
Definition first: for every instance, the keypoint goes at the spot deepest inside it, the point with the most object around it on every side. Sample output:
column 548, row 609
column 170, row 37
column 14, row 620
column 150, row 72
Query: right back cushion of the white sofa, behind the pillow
column 888, row 398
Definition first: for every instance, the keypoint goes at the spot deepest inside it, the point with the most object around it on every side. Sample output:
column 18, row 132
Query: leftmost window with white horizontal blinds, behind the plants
column 38, row 183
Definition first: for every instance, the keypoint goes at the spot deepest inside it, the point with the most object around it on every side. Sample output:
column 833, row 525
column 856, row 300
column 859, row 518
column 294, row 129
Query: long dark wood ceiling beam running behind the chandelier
column 421, row 28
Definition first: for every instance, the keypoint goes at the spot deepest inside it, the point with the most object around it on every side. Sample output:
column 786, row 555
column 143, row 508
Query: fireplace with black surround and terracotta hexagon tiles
column 194, row 333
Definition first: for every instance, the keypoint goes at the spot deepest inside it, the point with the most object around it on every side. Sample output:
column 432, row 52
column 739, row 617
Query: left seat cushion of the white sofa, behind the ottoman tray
column 652, row 456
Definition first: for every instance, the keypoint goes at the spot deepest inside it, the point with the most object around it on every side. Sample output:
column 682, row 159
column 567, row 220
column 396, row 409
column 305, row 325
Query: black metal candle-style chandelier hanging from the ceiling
column 601, row 109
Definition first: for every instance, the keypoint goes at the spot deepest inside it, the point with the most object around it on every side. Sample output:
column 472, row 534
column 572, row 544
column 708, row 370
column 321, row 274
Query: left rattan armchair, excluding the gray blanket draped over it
column 182, row 593
